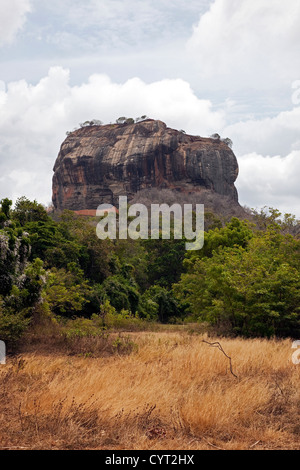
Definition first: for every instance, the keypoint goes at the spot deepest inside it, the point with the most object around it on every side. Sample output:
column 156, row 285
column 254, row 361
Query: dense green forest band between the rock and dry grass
column 245, row 281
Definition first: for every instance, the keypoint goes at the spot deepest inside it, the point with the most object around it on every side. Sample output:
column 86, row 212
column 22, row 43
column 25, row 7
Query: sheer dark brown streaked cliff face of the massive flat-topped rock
column 98, row 164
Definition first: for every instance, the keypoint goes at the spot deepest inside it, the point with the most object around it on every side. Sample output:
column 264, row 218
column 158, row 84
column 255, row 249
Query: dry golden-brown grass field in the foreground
column 171, row 391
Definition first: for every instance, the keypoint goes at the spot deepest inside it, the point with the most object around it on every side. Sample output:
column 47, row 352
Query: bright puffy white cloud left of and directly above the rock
column 34, row 119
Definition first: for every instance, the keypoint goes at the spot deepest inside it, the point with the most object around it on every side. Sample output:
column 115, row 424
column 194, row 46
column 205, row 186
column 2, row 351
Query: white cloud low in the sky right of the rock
column 268, row 152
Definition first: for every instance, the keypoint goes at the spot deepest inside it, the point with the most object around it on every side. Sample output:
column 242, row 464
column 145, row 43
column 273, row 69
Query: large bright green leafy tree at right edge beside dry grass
column 252, row 290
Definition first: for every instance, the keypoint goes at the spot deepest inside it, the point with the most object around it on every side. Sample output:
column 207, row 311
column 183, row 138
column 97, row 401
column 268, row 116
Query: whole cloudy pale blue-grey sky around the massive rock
column 205, row 66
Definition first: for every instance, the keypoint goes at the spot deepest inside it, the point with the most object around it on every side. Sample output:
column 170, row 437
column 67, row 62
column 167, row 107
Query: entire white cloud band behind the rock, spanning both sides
column 35, row 118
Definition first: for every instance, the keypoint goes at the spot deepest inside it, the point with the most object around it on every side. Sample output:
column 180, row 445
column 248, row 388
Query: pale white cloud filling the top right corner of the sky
column 250, row 42
